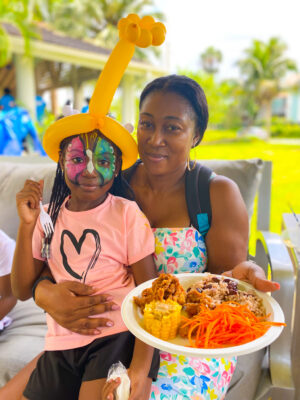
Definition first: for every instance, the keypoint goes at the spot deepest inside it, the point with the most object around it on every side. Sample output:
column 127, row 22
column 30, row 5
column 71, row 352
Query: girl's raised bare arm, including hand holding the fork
column 25, row 268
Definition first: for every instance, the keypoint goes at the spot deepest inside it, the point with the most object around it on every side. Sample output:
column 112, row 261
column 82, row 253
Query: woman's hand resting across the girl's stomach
column 79, row 304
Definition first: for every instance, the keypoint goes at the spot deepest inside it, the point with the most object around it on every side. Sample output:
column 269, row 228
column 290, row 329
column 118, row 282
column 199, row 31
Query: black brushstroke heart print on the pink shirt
column 78, row 246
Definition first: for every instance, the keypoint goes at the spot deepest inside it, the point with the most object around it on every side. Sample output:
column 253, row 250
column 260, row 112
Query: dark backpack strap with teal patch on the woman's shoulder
column 197, row 197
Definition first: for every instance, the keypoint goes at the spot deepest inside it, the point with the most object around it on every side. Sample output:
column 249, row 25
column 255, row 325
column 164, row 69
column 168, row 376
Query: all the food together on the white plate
column 212, row 313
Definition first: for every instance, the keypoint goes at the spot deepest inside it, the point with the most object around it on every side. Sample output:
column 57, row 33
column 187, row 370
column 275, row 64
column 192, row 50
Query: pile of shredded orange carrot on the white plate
column 229, row 324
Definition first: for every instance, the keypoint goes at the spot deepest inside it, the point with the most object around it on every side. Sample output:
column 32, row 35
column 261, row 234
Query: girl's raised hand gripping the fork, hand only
column 28, row 201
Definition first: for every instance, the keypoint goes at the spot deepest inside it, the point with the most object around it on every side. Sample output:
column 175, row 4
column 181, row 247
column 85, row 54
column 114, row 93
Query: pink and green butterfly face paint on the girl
column 91, row 153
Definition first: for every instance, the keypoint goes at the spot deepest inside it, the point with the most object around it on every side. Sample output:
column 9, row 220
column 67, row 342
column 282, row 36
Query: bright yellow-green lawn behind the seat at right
column 285, row 175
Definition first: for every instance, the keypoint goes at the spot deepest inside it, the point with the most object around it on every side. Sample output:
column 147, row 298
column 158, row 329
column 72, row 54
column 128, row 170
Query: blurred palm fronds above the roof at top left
column 95, row 19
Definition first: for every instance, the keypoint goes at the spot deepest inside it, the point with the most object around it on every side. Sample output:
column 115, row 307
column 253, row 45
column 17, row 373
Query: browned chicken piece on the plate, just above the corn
column 165, row 287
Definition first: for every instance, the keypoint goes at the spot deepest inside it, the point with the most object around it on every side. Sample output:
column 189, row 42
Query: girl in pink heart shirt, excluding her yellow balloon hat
column 97, row 234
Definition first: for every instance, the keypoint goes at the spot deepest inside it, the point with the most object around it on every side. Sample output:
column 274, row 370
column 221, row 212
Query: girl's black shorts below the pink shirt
column 59, row 374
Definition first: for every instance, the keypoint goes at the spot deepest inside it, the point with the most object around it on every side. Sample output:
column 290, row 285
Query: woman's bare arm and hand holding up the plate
column 227, row 239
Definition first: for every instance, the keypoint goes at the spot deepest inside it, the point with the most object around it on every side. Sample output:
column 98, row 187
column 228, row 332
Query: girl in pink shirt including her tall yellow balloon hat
column 98, row 234
